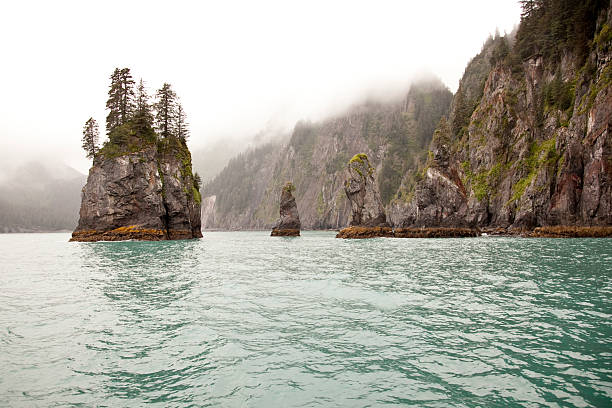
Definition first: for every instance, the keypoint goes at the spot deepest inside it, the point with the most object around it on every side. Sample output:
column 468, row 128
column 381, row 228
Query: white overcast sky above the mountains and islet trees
column 237, row 66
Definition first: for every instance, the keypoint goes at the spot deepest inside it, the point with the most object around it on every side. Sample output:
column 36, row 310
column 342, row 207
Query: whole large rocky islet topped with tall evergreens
column 141, row 185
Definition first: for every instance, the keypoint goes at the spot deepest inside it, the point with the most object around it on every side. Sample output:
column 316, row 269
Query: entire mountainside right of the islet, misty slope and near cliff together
column 524, row 142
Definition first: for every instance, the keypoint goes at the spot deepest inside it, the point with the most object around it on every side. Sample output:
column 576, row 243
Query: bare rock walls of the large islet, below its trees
column 148, row 194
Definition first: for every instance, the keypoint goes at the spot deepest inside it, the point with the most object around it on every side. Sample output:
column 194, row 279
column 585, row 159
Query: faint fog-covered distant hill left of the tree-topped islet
column 40, row 197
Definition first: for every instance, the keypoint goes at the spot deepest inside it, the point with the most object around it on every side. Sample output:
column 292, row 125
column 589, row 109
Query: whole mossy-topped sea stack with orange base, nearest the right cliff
column 367, row 218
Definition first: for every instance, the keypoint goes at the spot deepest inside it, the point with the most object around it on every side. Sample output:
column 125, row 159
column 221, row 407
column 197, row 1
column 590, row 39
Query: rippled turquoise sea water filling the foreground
column 240, row 319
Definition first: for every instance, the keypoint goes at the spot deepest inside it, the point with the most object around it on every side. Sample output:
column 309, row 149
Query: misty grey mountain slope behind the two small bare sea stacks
column 394, row 135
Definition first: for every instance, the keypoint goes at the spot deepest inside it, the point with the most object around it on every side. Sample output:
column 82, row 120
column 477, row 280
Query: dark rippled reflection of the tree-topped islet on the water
column 145, row 287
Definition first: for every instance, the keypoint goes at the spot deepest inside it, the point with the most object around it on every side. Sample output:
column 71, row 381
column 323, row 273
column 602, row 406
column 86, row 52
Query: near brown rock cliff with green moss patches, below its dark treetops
column 535, row 151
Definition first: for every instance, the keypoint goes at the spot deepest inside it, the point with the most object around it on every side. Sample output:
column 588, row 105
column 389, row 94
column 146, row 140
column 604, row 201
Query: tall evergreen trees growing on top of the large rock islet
column 132, row 118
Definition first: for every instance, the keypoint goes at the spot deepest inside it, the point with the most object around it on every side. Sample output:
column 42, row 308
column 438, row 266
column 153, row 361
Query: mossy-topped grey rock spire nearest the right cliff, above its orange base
column 362, row 191
